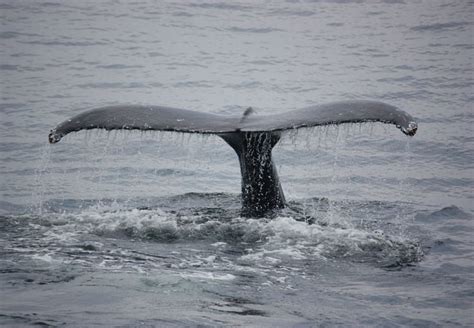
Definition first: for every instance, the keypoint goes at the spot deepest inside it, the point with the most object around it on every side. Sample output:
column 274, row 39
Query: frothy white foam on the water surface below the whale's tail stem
column 268, row 242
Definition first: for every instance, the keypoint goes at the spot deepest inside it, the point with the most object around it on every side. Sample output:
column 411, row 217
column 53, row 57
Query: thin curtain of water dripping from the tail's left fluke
column 128, row 165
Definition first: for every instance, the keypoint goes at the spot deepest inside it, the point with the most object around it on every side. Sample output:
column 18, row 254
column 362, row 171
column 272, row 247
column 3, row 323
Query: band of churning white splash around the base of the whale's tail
column 259, row 243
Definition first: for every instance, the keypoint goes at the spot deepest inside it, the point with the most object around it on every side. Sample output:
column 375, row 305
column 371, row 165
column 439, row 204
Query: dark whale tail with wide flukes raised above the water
column 251, row 136
